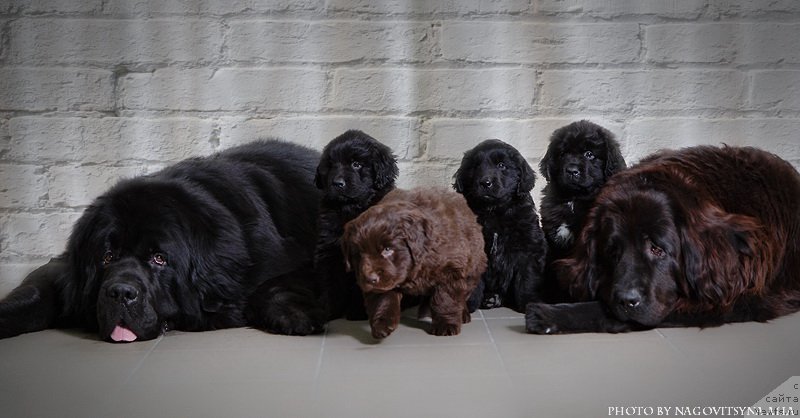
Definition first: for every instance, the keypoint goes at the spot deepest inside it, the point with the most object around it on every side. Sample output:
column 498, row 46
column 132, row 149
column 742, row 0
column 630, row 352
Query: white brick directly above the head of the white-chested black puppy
column 642, row 90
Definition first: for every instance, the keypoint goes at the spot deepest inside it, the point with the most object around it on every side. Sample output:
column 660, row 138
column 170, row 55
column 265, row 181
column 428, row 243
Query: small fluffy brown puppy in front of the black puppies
column 420, row 242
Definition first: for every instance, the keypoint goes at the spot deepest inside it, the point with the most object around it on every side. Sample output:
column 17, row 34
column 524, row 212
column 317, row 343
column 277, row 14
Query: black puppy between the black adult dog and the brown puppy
column 354, row 173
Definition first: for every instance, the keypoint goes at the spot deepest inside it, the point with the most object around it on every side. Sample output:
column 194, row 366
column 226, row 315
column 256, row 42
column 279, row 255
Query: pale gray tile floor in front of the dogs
column 493, row 369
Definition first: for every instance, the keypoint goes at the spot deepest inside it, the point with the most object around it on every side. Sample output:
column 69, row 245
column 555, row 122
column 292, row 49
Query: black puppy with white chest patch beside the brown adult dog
column 578, row 162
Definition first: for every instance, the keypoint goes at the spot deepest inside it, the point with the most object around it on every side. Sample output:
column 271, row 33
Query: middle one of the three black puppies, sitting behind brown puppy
column 496, row 182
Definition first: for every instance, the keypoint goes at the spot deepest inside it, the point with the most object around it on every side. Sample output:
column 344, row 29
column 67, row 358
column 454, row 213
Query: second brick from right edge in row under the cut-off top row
column 537, row 43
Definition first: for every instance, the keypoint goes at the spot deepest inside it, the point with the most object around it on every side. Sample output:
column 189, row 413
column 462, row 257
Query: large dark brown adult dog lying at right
column 697, row 237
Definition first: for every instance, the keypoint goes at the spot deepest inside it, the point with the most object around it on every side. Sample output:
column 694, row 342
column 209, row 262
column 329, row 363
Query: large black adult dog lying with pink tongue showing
column 208, row 243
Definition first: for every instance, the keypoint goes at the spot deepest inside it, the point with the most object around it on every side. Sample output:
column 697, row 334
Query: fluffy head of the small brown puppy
column 383, row 245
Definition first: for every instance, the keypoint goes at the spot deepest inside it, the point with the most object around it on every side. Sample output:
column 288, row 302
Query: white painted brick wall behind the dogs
column 92, row 91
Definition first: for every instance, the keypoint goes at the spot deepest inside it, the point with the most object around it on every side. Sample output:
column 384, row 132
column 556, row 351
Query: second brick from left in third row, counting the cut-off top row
column 295, row 89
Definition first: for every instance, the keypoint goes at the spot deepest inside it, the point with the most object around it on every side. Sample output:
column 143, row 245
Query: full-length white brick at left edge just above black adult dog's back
column 108, row 140
